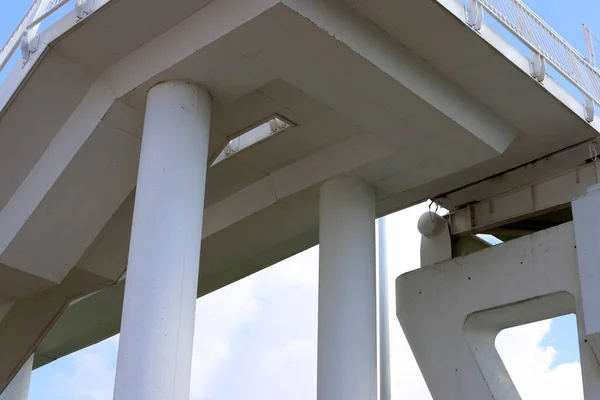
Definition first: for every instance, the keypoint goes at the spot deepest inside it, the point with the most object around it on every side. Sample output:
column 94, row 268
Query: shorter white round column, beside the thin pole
column 347, row 330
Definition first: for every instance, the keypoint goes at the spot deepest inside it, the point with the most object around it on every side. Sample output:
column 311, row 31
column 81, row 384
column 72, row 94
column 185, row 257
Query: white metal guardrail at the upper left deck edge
column 24, row 36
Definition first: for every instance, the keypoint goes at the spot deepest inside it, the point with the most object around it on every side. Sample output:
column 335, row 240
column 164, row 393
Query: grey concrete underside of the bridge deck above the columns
column 368, row 97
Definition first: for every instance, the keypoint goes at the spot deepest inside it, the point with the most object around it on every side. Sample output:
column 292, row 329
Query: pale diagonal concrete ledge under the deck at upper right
column 409, row 70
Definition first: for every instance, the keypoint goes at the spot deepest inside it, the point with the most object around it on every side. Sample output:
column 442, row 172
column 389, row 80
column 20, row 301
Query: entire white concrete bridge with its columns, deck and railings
column 152, row 152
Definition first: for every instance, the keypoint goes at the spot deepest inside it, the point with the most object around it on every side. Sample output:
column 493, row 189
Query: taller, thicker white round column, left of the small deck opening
column 157, row 328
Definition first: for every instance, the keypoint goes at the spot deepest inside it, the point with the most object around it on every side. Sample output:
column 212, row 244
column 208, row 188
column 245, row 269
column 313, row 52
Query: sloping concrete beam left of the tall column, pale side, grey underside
column 83, row 176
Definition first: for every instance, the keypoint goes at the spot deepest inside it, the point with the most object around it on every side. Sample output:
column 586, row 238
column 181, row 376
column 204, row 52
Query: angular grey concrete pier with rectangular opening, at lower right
column 452, row 309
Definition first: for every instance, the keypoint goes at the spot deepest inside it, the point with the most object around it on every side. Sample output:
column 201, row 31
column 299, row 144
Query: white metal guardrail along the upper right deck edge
column 544, row 42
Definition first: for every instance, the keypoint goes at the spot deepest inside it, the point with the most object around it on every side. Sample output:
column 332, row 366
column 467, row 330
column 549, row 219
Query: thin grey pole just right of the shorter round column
column 385, row 383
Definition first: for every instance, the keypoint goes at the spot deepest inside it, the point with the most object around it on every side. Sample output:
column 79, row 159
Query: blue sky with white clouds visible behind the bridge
column 246, row 341
